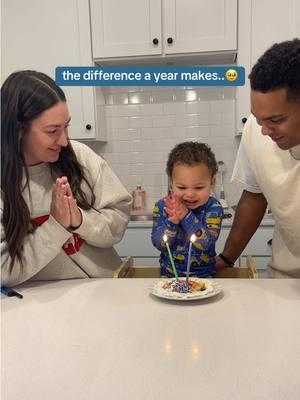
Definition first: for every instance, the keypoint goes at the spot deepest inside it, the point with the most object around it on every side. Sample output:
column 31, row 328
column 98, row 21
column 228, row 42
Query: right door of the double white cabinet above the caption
column 199, row 25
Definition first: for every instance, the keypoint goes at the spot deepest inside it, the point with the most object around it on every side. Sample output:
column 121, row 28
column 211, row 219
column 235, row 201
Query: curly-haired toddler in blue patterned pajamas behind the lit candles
column 189, row 209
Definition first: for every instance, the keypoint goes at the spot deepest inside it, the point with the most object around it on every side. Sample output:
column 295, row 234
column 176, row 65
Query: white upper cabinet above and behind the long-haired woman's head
column 42, row 35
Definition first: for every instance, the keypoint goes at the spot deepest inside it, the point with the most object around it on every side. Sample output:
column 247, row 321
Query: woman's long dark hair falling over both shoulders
column 24, row 96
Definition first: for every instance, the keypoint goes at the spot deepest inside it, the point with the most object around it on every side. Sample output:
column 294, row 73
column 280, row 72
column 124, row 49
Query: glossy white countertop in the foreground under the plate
column 110, row 339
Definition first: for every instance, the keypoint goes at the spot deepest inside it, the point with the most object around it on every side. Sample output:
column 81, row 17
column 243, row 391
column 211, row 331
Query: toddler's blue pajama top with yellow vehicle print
column 205, row 222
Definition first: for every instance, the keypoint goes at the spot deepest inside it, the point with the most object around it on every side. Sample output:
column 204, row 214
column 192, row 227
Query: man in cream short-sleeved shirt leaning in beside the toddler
column 268, row 161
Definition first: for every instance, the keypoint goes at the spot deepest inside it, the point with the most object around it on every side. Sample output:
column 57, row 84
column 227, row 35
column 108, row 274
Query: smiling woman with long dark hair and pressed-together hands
column 62, row 207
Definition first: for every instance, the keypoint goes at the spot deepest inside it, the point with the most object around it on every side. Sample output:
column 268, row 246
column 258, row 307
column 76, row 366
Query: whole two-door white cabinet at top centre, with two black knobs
column 162, row 27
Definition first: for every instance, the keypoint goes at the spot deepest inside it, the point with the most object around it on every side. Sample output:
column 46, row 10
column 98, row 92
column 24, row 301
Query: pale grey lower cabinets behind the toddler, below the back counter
column 137, row 243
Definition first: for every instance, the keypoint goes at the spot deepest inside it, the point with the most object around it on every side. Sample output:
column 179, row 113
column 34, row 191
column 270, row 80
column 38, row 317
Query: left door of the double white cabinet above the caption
column 125, row 28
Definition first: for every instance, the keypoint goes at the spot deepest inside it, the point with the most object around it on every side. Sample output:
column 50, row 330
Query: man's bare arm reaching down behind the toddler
column 249, row 213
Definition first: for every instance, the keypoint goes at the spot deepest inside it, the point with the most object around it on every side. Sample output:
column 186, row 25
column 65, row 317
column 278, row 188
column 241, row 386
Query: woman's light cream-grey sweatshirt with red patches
column 44, row 257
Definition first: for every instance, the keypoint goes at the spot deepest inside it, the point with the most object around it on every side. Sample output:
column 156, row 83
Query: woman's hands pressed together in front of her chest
column 63, row 205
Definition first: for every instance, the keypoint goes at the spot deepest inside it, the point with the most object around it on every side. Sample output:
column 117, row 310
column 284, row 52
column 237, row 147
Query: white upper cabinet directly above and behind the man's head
column 261, row 24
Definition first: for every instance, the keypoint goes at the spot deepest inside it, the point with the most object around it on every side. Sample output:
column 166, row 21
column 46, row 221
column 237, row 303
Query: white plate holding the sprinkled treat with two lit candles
column 212, row 289
